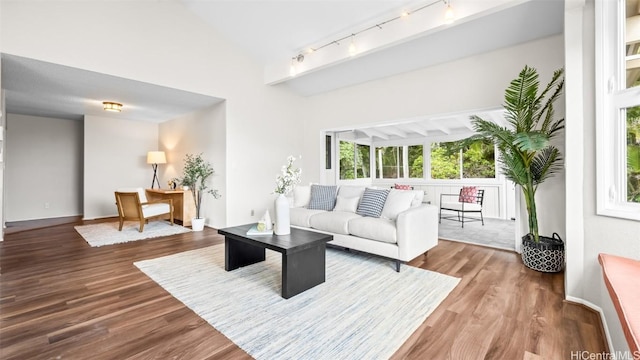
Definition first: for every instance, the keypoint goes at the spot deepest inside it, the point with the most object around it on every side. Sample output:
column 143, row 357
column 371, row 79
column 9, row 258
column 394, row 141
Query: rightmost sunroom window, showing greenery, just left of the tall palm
column 462, row 160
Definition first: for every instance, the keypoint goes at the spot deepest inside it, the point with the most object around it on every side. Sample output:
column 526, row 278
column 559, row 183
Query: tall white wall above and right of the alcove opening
column 263, row 123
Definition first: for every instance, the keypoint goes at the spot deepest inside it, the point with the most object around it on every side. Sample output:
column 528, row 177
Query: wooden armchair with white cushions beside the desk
column 133, row 206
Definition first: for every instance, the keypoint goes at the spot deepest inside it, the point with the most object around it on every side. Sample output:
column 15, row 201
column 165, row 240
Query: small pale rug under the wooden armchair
column 107, row 233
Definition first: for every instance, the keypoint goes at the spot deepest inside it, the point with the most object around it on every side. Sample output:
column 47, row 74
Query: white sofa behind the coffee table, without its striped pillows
column 406, row 228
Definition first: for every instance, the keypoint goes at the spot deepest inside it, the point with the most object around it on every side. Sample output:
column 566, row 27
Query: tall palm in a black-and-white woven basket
column 527, row 156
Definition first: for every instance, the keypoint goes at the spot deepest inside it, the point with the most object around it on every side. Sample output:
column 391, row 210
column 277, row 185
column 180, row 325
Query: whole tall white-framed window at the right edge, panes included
column 618, row 108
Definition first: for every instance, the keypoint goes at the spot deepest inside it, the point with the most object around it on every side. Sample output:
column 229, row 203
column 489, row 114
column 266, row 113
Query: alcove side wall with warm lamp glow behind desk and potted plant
column 201, row 132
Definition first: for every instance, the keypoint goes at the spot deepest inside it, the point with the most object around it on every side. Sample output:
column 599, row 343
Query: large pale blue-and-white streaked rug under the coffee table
column 364, row 310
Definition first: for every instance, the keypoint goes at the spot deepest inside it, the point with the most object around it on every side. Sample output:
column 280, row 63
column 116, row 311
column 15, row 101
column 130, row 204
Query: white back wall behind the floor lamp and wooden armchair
column 115, row 156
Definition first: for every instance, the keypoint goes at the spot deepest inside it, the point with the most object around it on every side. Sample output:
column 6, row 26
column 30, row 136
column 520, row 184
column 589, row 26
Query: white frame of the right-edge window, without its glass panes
column 612, row 97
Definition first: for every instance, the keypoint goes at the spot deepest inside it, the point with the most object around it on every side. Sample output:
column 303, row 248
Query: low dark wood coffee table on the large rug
column 303, row 255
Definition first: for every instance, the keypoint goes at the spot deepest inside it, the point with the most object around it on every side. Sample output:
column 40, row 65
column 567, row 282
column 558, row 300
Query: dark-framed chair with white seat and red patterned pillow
column 469, row 200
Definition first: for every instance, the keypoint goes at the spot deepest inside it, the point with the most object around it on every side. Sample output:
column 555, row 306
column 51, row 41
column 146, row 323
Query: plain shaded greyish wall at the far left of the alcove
column 44, row 167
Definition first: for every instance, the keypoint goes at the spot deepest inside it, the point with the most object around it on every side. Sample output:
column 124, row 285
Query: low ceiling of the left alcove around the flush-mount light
column 44, row 89
